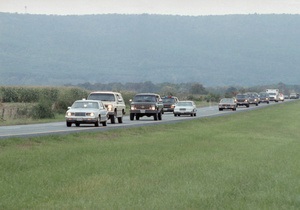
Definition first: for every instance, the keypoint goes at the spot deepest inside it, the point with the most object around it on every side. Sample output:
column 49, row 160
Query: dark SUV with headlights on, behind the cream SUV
column 146, row 104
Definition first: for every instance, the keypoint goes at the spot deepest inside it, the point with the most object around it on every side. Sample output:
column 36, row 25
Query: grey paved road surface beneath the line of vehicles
column 61, row 128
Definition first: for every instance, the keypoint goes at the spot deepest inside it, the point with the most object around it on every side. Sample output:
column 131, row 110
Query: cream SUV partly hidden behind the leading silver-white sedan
column 113, row 102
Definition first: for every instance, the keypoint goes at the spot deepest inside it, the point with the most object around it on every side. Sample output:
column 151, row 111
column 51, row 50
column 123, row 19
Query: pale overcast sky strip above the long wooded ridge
column 174, row 7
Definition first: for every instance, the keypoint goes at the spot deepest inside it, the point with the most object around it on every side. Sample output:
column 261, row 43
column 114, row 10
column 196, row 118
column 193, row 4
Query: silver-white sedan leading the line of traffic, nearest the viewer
column 86, row 112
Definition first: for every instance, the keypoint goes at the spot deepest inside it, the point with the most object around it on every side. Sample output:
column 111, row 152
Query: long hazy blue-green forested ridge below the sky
column 212, row 50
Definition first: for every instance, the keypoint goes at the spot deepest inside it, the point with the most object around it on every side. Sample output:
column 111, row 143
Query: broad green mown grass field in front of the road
column 243, row 161
